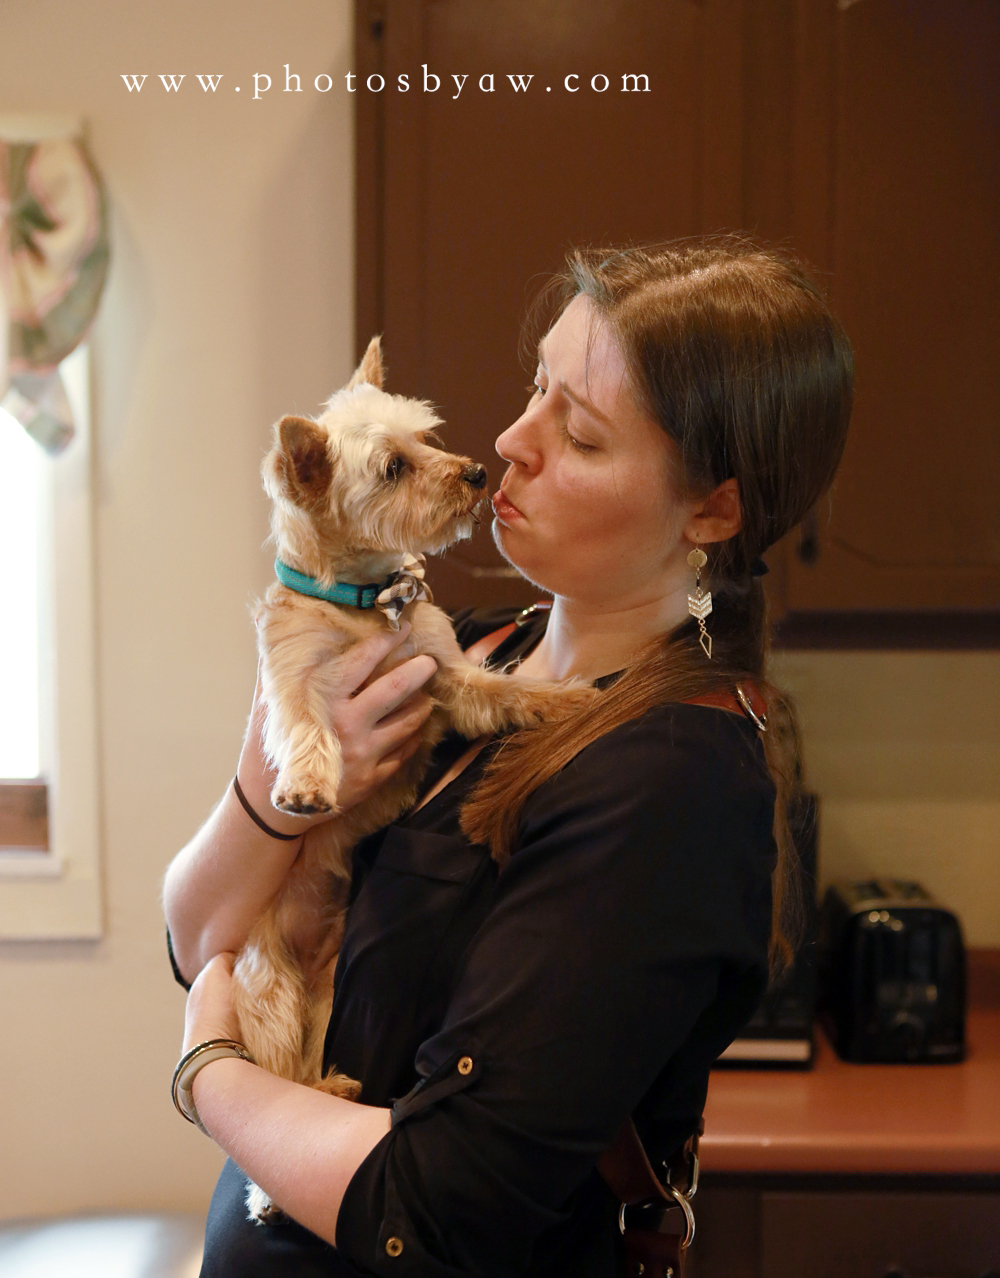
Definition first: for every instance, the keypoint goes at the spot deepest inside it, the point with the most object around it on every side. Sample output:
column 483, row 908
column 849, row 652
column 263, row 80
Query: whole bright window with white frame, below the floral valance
column 49, row 854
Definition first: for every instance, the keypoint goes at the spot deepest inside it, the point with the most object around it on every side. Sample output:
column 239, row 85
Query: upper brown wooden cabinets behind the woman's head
column 861, row 135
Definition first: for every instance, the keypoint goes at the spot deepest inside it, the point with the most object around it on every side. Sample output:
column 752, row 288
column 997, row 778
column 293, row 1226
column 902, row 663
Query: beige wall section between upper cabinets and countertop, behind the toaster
column 905, row 752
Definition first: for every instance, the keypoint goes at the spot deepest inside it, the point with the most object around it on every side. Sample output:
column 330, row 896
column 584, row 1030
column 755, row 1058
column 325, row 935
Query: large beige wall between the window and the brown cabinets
column 230, row 302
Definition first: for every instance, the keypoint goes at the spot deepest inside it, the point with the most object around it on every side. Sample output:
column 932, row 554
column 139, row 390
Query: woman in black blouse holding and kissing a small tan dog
column 567, row 930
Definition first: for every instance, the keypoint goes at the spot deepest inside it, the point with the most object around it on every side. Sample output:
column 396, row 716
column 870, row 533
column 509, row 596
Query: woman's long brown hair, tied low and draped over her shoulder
column 733, row 351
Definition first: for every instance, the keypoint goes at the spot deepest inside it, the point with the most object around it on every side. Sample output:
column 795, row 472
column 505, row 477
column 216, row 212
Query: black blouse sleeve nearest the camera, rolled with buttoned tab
column 637, row 900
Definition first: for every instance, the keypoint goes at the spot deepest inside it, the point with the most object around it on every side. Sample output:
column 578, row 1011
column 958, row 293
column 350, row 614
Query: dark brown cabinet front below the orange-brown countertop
column 870, row 1235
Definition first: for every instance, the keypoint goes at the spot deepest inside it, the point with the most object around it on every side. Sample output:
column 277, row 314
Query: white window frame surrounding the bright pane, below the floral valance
column 57, row 894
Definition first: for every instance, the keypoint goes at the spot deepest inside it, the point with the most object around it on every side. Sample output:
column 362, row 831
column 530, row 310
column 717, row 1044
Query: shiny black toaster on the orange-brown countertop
column 892, row 974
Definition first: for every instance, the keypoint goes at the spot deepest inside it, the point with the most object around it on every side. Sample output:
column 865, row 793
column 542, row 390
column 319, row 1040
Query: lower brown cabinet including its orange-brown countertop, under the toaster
column 857, row 1171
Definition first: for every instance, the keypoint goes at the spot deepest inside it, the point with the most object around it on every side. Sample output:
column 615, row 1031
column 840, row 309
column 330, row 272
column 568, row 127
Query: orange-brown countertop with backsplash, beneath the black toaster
column 868, row 1119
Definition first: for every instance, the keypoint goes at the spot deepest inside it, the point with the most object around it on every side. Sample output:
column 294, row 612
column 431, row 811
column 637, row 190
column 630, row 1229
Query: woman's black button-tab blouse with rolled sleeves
column 513, row 1020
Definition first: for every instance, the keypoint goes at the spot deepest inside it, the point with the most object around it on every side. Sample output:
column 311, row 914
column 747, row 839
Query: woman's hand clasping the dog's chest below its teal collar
column 378, row 725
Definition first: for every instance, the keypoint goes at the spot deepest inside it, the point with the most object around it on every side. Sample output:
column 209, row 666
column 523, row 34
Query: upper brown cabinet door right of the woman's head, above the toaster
column 898, row 196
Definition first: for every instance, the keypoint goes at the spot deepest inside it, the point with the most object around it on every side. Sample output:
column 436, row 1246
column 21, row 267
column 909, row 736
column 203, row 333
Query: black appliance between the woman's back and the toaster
column 781, row 1035
